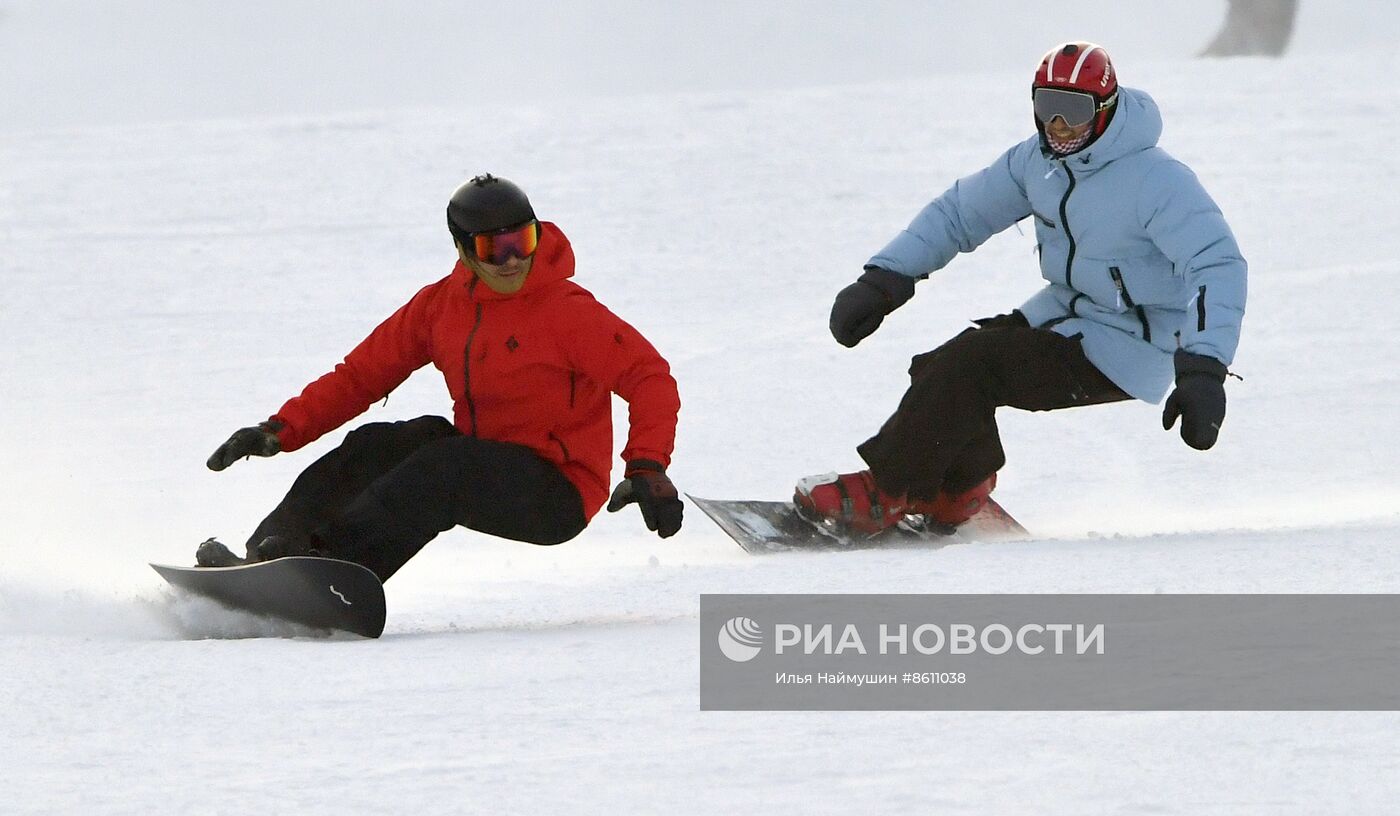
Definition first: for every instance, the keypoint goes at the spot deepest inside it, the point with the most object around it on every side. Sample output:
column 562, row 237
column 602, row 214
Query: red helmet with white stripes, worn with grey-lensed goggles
column 1083, row 86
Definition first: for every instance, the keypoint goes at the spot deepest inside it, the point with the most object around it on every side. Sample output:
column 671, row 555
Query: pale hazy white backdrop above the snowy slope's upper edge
column 85, row 62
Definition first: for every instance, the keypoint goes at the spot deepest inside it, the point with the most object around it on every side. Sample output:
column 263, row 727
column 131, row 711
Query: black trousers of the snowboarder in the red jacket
column 393, row 488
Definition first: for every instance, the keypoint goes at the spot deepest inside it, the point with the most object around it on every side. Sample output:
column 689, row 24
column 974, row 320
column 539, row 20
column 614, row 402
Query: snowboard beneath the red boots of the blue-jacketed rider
column 776, row 527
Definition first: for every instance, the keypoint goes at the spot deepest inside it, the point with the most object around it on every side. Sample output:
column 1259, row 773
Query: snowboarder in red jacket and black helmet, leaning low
column 531, row 362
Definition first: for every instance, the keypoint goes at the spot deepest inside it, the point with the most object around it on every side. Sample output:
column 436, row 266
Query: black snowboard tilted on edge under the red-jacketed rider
column 316, row 593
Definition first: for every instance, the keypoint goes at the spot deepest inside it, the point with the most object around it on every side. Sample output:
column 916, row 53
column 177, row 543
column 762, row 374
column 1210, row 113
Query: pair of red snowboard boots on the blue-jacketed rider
column 853, row 500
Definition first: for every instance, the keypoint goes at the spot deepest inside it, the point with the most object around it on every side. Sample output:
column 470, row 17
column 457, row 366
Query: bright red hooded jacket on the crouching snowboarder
column 545, row 363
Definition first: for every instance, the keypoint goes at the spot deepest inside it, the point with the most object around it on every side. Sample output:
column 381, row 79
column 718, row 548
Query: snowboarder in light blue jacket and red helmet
column 1146, row 281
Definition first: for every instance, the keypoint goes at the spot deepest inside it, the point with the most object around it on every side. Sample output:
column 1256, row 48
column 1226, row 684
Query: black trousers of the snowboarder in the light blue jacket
column 944, row 433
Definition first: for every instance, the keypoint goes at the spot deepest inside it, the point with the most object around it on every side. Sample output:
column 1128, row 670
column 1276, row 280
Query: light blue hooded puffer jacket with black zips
column 1139, row 257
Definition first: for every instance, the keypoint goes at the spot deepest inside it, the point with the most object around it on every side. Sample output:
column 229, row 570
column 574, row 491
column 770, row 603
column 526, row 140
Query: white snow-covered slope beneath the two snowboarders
column 166, row 283
